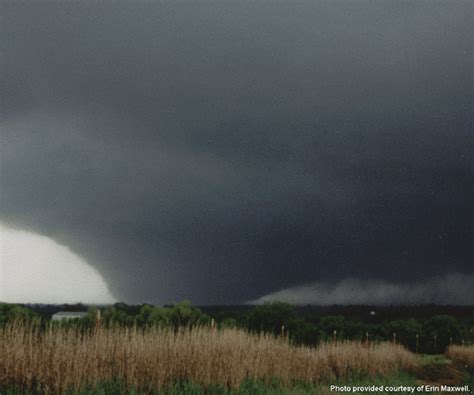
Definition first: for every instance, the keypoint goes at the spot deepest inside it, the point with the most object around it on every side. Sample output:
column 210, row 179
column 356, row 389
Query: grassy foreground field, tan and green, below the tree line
column 206, row 360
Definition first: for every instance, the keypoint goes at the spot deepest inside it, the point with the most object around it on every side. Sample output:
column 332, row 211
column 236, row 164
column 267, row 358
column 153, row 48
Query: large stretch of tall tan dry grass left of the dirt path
column 61, row 358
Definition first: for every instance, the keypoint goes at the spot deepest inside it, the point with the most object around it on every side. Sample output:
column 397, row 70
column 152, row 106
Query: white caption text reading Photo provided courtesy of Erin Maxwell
column 426, row 388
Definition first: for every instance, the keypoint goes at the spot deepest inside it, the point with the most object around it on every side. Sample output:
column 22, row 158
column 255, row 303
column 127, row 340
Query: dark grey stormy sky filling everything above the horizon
column 232, row 152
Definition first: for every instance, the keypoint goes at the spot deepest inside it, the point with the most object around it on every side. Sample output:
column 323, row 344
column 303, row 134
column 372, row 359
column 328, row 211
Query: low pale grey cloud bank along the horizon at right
column 453, row 288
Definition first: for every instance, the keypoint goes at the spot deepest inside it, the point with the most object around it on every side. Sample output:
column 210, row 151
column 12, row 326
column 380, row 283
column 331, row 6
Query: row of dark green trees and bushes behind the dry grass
column 427, row 335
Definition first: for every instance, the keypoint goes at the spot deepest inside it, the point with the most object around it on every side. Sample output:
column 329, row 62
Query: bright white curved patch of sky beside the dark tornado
column 36, row 269
